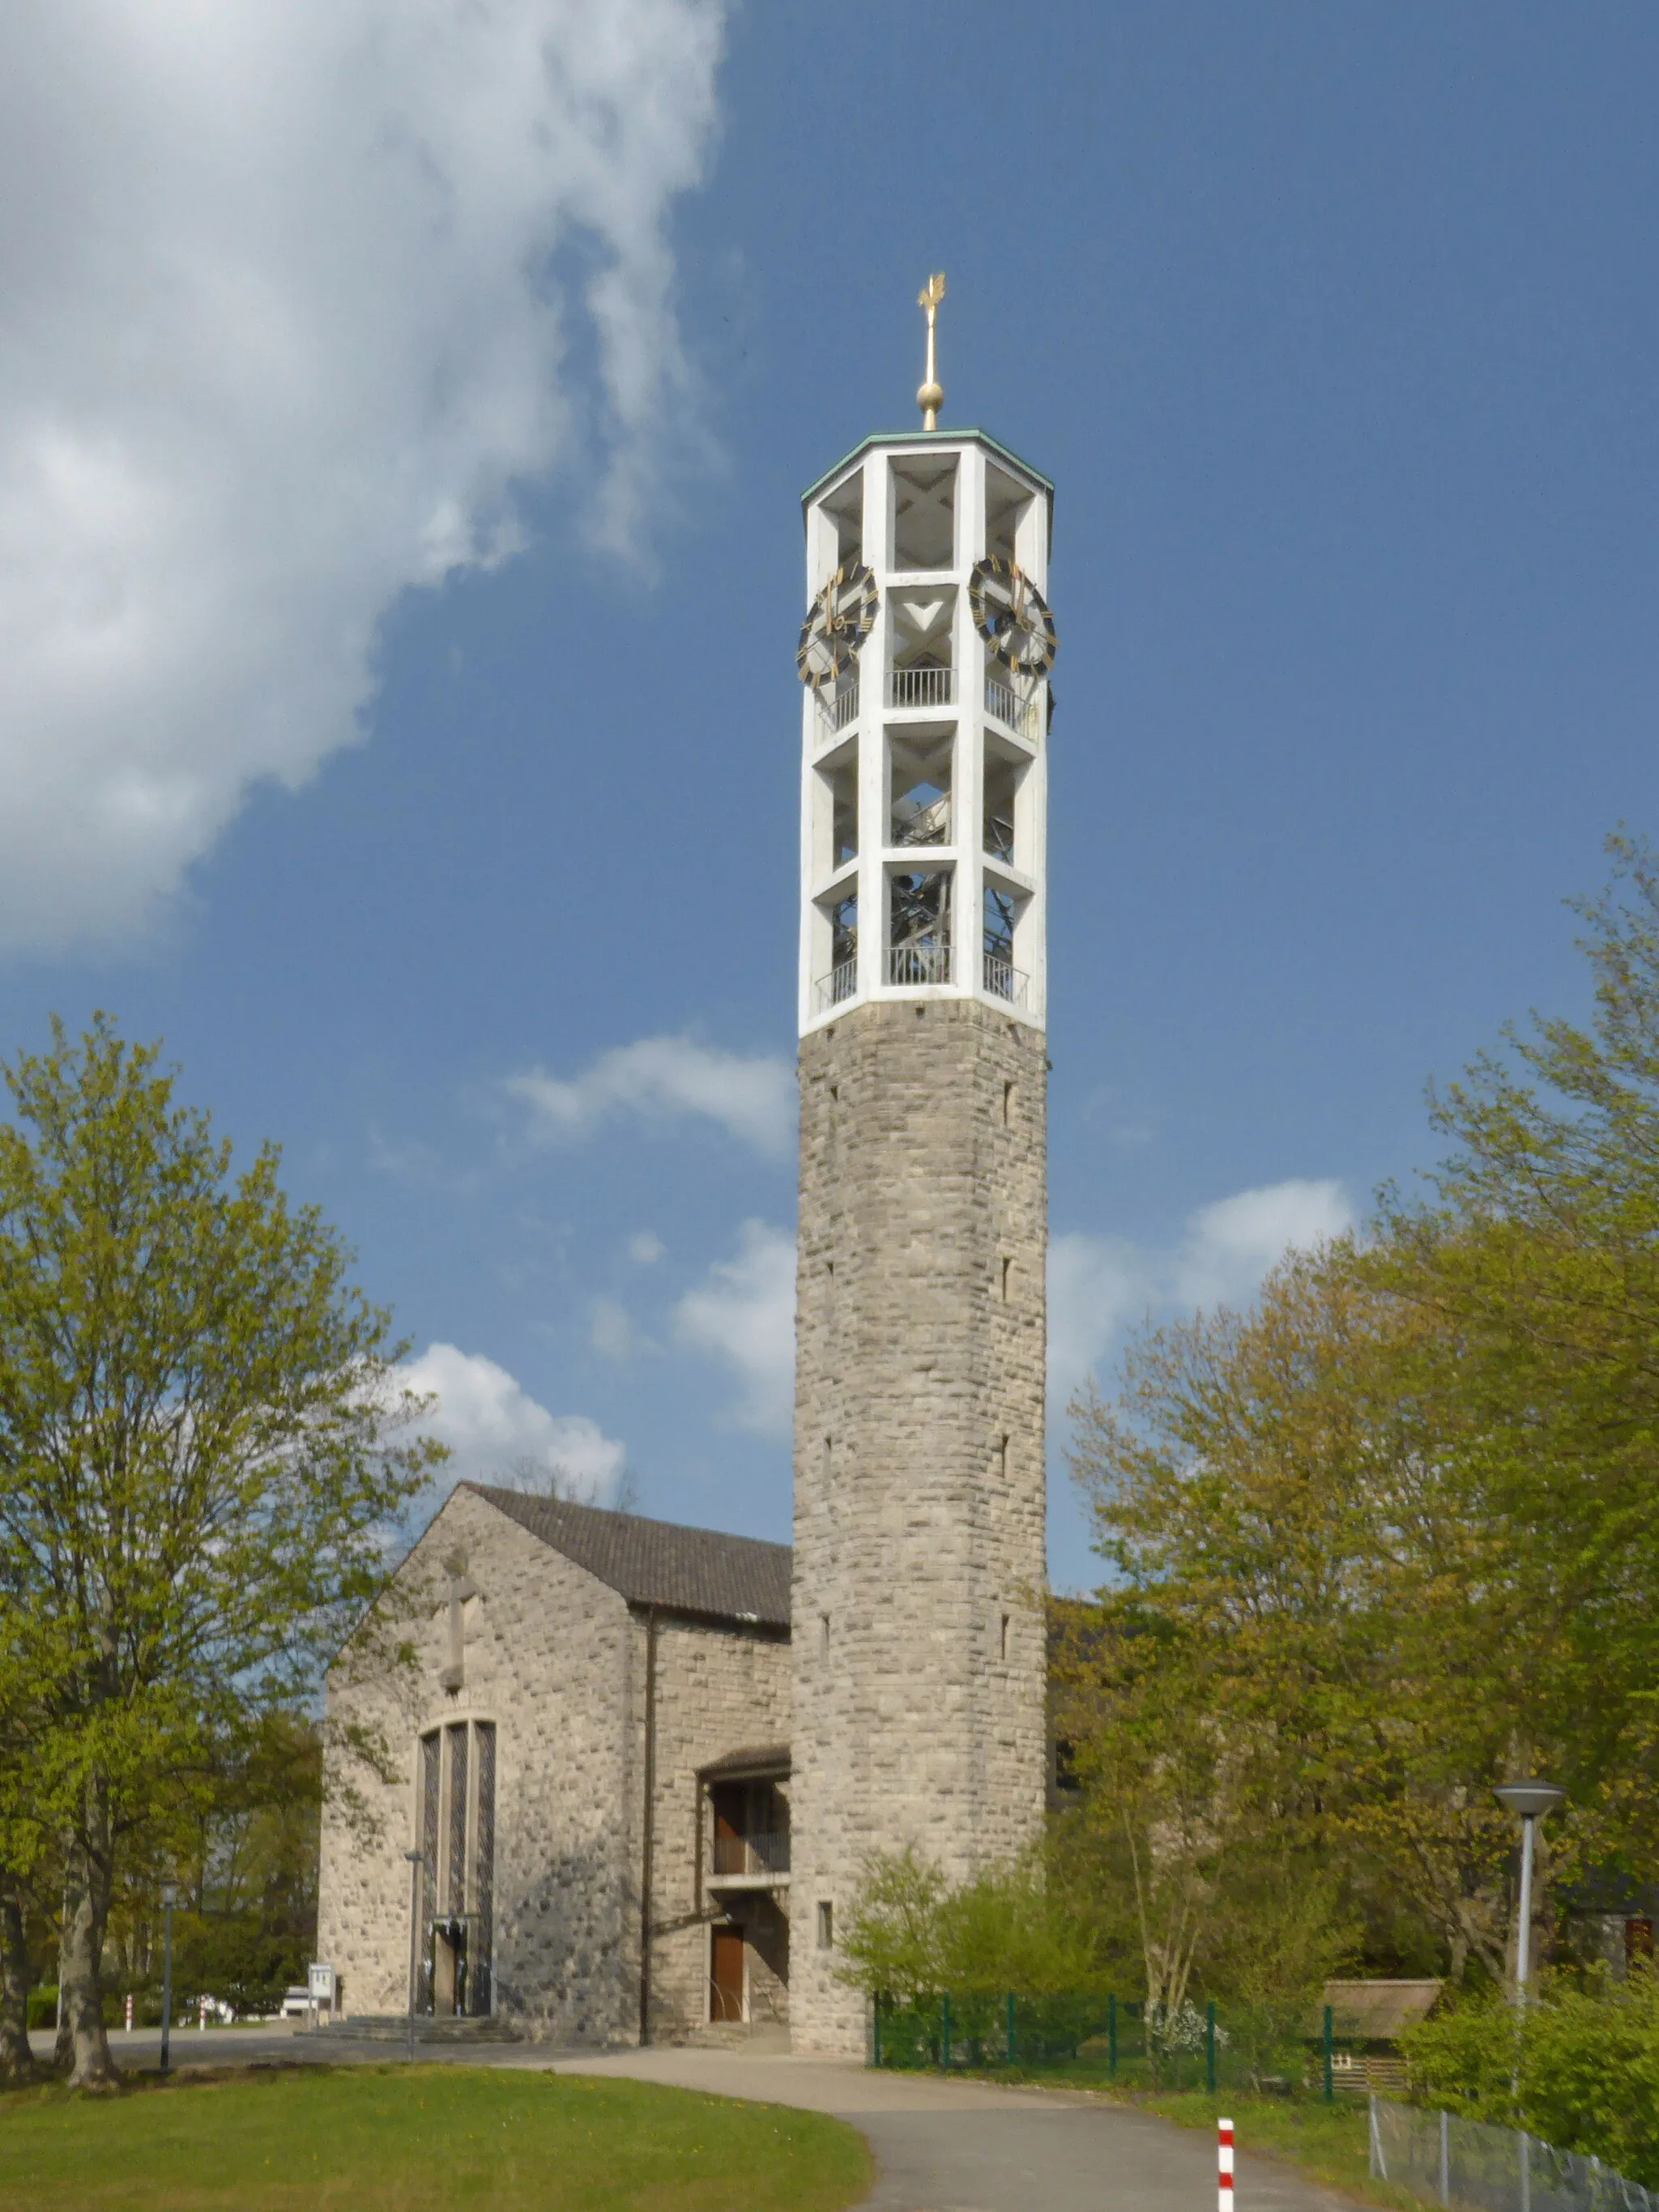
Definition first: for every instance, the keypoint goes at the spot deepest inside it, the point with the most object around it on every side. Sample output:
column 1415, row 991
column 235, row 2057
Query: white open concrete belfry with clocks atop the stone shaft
column 924, row 753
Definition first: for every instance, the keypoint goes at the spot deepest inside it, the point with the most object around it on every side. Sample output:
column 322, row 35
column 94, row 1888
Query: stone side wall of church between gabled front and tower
column 720, row 1689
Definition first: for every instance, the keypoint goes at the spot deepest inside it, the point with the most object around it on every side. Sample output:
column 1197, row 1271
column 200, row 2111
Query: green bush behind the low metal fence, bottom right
column 1580, row 2069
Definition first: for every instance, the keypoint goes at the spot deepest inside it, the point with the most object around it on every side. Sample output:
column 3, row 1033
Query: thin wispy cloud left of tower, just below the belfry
column 660, row 1078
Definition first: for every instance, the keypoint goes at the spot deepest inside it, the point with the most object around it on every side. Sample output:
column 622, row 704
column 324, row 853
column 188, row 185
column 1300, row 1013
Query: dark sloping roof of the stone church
column 733, row 1578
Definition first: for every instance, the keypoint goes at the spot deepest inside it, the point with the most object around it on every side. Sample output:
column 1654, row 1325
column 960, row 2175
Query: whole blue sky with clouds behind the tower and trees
column 404, row 415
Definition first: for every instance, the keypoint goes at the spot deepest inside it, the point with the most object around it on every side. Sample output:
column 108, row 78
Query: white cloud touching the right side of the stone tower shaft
column 1103, row 1284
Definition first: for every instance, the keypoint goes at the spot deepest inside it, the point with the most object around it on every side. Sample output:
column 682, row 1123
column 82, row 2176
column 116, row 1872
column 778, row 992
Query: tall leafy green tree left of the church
column 202, row 1457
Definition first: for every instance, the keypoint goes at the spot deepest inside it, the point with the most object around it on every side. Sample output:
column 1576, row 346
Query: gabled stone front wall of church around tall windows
column 550, row 1660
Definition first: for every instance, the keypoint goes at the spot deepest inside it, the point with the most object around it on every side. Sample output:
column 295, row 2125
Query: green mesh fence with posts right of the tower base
column 1107, row 2038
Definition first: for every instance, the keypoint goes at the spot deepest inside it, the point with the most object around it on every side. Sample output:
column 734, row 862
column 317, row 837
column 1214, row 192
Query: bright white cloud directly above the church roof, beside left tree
column 494, row 1428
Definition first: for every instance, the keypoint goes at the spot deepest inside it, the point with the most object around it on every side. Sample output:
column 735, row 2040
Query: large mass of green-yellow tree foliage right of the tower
column 1395, row 1536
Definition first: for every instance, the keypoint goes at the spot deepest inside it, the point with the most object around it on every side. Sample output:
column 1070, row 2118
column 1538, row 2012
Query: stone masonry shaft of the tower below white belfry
column 919, row 1461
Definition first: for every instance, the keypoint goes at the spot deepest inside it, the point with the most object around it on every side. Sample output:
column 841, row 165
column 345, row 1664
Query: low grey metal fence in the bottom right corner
column 1463, row 2162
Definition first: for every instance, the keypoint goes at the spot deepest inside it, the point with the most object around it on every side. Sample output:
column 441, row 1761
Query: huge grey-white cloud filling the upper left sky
column 289, row 298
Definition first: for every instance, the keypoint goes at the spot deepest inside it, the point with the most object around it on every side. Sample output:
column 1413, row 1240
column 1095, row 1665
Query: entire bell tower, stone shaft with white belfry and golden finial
column 919, row 1432
